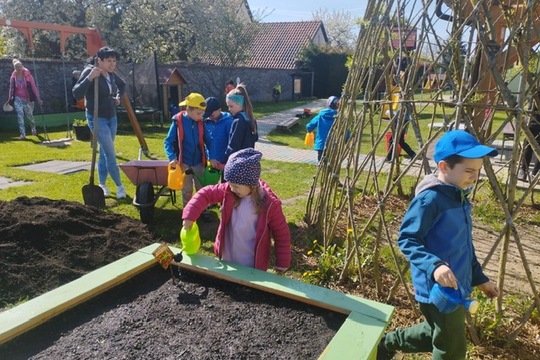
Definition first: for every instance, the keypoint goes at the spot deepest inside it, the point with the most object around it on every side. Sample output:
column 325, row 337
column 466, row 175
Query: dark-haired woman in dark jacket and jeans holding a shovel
column 111, row 89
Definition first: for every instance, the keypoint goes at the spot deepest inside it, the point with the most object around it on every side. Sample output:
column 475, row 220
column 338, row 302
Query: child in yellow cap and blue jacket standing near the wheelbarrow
column 185, row 143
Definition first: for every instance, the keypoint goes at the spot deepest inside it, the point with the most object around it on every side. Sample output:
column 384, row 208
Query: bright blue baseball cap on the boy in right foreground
column 459, row 142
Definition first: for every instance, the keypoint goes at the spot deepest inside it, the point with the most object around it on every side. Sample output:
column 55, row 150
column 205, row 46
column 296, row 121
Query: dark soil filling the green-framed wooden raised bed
column 199, row 317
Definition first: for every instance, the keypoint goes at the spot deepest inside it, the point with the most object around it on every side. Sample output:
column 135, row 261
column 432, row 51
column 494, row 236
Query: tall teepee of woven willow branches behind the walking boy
column 438, row 63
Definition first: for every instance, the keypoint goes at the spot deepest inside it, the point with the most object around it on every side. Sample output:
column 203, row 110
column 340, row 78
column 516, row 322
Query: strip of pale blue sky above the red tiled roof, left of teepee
column 301, row 10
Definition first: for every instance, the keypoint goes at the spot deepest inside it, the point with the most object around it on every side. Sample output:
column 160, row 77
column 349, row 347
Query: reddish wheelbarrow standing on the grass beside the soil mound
column 150, row 177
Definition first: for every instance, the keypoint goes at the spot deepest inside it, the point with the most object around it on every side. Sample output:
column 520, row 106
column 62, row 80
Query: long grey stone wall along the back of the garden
column 207, row 80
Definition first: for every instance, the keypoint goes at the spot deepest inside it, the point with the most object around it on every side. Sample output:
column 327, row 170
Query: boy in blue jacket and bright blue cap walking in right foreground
column 436, row 237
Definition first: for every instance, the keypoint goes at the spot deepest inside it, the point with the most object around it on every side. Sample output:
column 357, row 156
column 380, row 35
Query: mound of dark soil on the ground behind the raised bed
column 46, row 243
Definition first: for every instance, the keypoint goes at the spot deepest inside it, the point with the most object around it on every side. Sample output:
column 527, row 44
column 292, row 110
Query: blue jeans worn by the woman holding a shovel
column 107, row 154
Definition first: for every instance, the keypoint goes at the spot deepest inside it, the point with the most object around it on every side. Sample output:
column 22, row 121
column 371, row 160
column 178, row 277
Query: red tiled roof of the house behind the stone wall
column 278, row 44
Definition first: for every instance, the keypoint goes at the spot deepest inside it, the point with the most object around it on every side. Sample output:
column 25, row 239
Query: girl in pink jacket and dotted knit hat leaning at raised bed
column 251, row 215
